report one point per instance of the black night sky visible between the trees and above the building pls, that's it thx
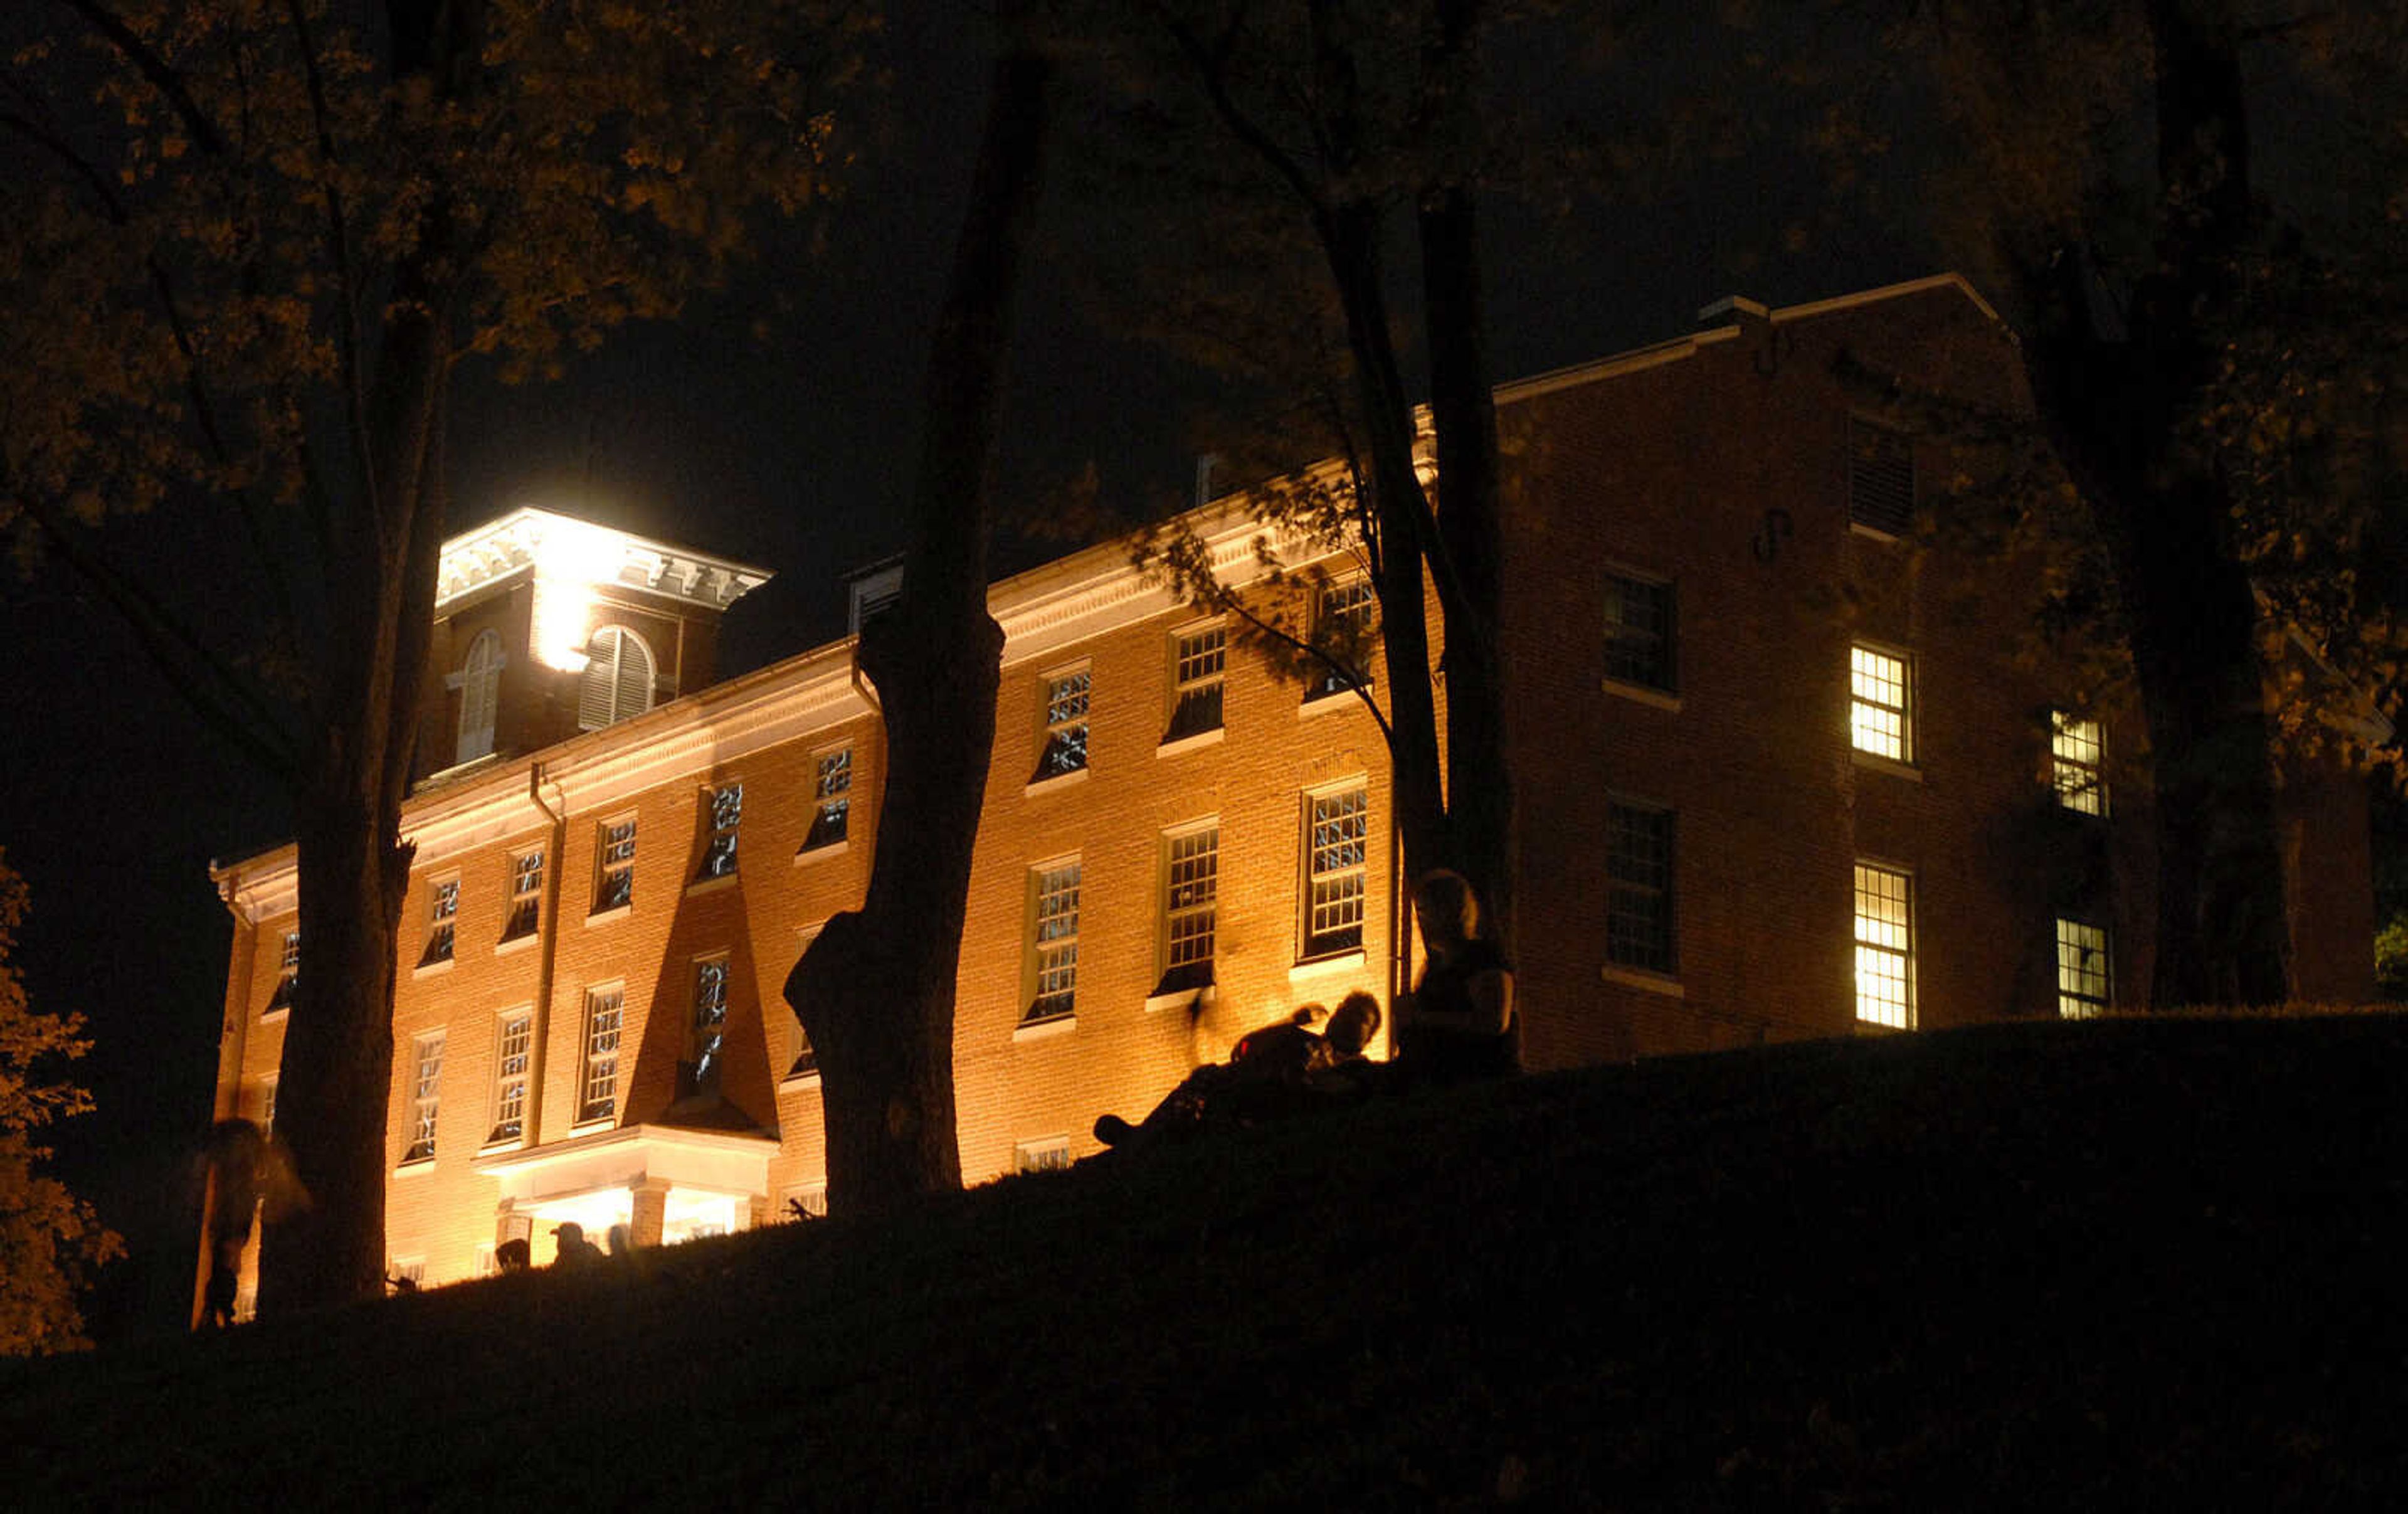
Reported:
(793, 454)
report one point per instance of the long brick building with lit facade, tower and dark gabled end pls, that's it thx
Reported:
(1781, 774)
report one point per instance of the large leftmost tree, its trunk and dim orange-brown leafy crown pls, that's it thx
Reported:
(242, 254)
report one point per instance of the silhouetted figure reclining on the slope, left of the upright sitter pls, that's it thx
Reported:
(1270, 1072)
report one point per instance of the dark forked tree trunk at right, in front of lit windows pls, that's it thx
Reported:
(2115, 406)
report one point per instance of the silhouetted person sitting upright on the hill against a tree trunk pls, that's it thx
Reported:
(1460, 1019)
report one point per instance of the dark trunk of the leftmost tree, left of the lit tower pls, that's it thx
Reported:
(384, 552)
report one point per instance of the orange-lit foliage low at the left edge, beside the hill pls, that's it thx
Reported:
(49, 1241)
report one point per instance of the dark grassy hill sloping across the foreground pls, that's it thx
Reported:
(2106, 1265)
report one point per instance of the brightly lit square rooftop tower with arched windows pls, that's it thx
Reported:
(550, 627)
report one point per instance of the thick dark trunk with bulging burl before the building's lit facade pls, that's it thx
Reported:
(875, 990)
